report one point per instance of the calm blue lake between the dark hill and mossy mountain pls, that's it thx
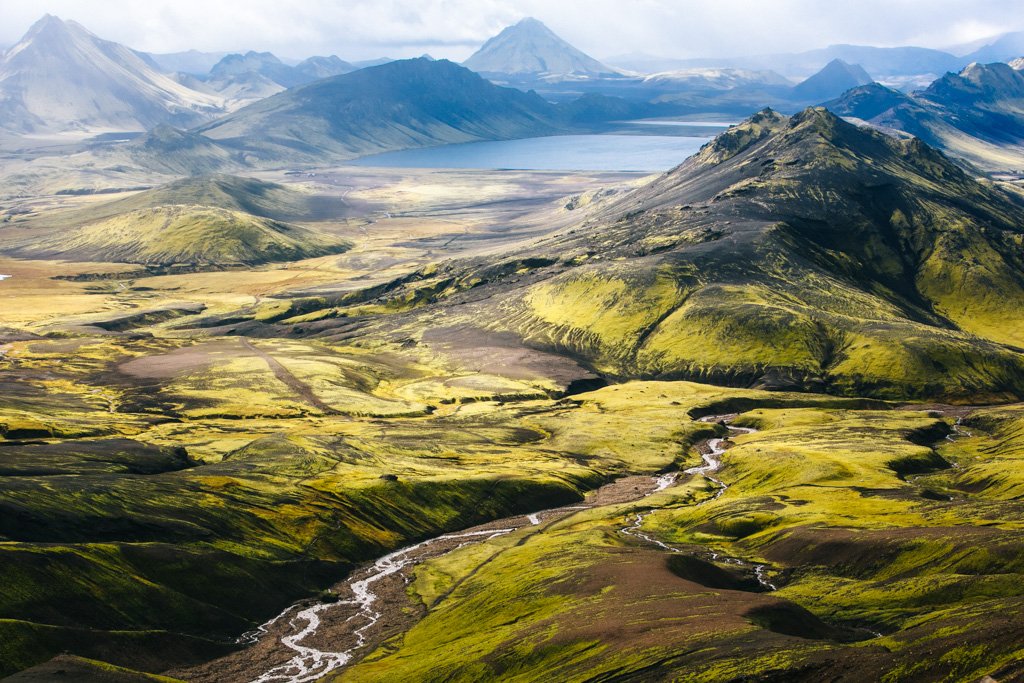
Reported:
(562, 153)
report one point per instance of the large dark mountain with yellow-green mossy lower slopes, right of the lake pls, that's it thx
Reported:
(799, 252)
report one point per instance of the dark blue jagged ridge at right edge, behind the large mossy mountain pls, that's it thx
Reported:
(975, 115)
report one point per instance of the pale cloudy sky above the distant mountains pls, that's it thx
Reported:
(454, 29)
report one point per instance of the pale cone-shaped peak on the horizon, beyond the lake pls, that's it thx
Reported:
(530, 49)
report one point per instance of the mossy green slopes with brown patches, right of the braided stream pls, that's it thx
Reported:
(818, 497)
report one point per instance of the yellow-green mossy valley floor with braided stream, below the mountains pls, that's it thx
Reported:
(170, 482)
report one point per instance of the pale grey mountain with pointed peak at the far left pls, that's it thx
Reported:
(60, 77)
